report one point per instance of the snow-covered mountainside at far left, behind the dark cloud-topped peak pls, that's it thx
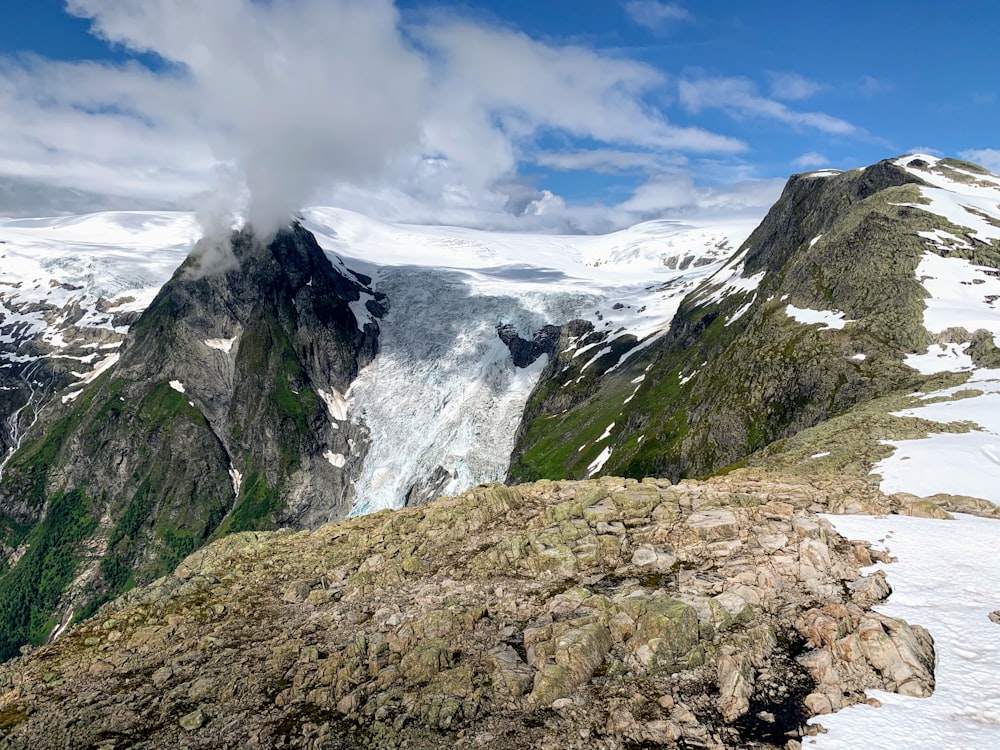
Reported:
(69, 289)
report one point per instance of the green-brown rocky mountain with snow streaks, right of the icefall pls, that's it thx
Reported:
(819, 310)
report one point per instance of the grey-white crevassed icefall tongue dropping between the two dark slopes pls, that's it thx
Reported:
(443, 398)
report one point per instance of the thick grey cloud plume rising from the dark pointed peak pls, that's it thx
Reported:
(293, 94)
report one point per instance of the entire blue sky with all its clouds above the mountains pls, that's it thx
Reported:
(568, 116)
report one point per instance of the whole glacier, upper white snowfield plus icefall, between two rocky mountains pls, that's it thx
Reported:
(442, 402)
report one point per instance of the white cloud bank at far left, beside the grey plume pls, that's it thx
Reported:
(77, 126)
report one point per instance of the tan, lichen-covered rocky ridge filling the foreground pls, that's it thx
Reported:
(601, 614)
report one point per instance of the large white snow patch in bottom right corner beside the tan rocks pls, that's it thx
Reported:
(944, 581)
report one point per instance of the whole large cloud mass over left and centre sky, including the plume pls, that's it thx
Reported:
(336, 100)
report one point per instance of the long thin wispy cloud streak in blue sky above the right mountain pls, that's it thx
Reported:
(739, 97)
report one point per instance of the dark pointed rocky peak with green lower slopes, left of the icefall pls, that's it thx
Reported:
(220, 415)
